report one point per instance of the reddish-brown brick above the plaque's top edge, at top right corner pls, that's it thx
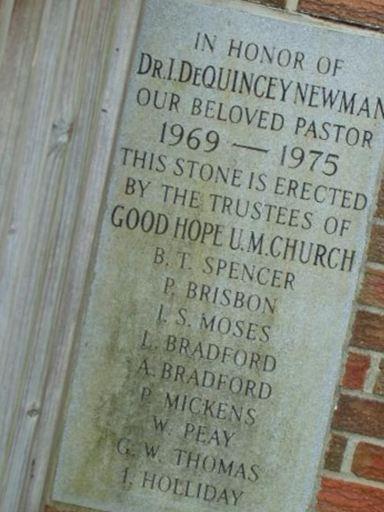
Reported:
(362, 12)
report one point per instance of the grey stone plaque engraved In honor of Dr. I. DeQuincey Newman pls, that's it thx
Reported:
(228, 258)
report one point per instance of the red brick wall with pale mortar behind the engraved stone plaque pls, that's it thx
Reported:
(353, 471)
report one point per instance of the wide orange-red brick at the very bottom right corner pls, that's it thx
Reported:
(341, 496)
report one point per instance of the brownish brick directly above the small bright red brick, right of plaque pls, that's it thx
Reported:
(368, 331)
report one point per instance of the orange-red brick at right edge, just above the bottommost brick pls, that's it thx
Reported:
(368, 462)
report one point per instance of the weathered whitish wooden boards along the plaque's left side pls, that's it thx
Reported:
(63, 70)
